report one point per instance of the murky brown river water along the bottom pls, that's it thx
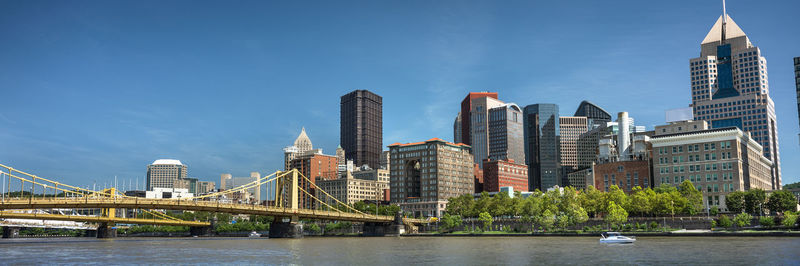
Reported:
(449, 251)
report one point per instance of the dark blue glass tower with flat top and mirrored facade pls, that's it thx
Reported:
(541, 133)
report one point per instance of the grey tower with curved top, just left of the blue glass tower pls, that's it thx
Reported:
(506, 140)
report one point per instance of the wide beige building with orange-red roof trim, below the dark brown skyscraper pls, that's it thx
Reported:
(424, 175)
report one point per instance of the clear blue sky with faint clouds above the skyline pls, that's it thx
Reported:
(94, 89)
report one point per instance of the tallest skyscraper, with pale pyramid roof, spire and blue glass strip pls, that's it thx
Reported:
(730, 88)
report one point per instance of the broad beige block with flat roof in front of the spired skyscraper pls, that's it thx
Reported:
(718, 161)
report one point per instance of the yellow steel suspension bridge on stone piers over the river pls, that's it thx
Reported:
(293, 191)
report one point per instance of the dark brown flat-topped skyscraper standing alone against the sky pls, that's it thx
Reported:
(361, 128)
